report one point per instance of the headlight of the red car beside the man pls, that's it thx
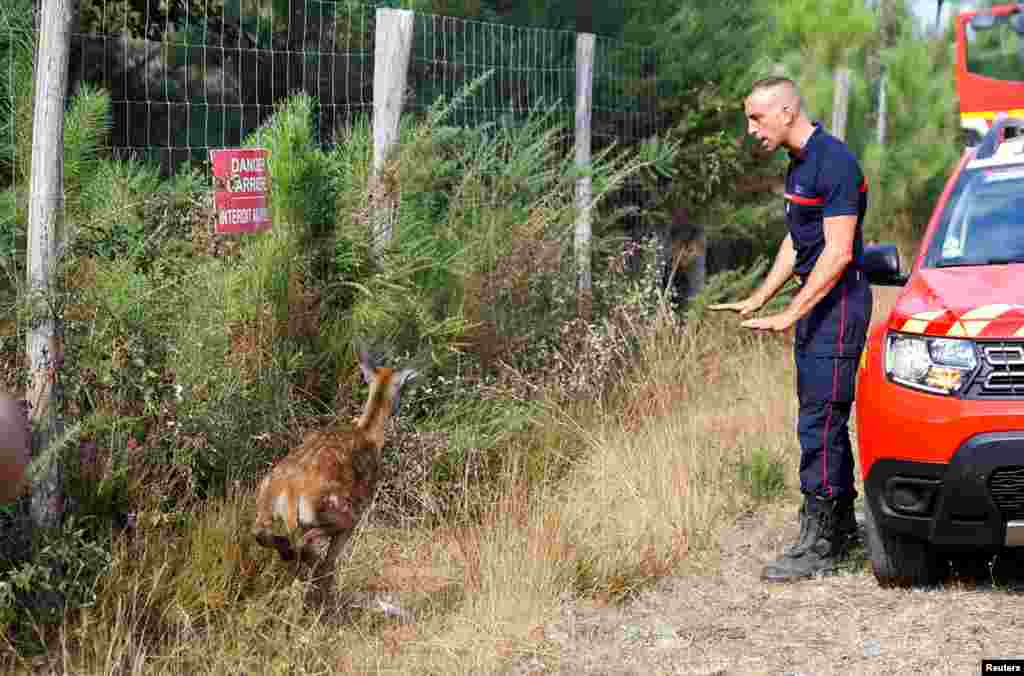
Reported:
(934, 365)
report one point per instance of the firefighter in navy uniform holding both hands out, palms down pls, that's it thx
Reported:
(826, 200)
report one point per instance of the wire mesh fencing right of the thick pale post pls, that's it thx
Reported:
(531, 69)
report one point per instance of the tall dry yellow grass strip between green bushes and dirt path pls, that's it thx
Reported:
(659, 478)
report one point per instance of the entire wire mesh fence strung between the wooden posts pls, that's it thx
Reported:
(187, 76)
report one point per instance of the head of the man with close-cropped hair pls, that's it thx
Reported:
(775, 114)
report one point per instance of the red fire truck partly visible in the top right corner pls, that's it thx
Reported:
(990, 66)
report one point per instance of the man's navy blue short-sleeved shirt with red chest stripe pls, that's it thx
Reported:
(824, 181)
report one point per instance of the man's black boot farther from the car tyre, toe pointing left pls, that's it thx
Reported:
(820, 547)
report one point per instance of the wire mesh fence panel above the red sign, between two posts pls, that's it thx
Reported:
(189, 76)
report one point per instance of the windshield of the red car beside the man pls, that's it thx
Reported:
(985, 225)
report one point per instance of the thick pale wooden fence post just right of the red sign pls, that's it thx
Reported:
(392, 55)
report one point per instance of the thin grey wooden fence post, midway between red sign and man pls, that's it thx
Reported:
(584, 96)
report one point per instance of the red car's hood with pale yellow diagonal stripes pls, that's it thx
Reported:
(974, 302)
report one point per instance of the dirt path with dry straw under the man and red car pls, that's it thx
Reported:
(723, 620)
